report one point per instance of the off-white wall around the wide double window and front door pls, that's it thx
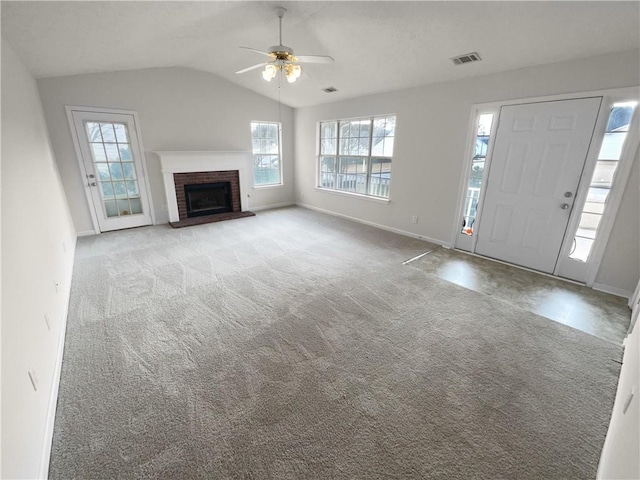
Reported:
(431, 137)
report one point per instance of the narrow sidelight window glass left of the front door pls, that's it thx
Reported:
(477, 172)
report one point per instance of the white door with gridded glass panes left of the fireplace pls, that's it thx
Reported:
(111, 157)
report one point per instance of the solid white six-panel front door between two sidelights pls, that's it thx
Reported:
(538, 157)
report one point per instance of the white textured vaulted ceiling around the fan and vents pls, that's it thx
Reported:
(377, 46)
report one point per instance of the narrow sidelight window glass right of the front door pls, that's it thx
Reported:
(608, 159)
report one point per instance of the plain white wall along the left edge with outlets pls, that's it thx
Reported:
(38, 244)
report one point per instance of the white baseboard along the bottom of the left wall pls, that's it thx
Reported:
(55, 385)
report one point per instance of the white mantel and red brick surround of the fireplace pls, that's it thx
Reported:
(200, 168)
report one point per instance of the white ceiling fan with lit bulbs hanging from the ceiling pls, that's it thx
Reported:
(282, 59)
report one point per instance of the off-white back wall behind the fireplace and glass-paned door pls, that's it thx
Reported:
(178, 109)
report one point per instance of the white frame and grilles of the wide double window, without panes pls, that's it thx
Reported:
(368, 159)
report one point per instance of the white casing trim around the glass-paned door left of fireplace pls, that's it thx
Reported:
(76, 145)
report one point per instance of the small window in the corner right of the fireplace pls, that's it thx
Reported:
(267, 160)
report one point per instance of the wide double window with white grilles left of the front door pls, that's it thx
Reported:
(355, 155)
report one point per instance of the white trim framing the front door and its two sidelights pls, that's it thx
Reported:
(609, 96)
